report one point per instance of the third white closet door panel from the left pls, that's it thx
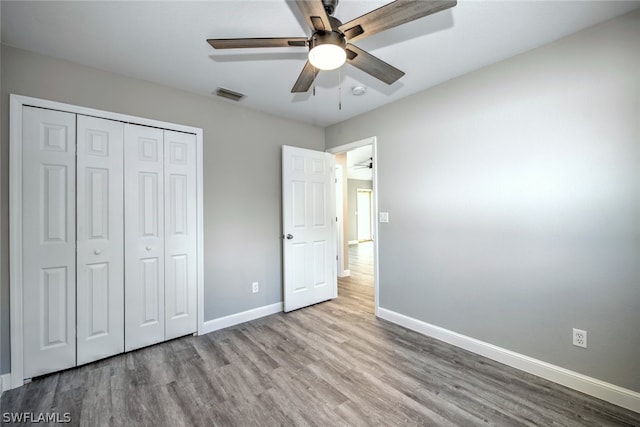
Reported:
(144, 236)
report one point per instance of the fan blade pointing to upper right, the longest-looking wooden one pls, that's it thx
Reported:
(391, 15)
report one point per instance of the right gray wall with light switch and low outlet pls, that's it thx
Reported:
(523, 219)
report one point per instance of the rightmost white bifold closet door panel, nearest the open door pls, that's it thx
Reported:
(180, 233)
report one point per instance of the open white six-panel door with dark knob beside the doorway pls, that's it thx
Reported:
(309, 249)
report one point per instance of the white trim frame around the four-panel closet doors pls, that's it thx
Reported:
(16, 104)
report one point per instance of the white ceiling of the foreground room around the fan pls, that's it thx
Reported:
(165, 42)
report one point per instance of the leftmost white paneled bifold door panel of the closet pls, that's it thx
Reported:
(49, 240)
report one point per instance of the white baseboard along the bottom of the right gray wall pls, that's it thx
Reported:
(602, 390)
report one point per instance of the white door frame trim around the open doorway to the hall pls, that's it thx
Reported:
(374, 192)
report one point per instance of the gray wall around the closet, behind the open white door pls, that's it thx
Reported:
(242, 168)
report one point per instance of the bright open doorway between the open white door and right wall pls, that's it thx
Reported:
(357, 230)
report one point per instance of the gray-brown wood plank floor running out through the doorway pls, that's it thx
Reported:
(332, 364)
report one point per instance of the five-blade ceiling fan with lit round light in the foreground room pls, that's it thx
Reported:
(330, 44)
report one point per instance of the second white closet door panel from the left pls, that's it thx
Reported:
(100, 234)
